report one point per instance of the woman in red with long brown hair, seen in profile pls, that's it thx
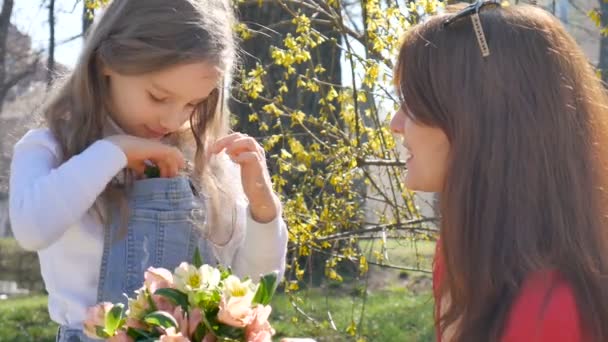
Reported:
(506, 119)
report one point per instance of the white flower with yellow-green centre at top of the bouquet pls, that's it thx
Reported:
(189, 278)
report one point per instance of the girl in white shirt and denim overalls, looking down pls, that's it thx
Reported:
(148, 88)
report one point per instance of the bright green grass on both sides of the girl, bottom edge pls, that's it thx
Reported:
(390, 315)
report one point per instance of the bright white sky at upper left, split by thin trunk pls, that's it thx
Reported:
(32, 18)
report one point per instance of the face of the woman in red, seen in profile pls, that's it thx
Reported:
(427, 156)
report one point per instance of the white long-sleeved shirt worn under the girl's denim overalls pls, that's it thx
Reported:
(50, 210)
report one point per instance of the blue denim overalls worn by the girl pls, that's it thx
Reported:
(165, 216)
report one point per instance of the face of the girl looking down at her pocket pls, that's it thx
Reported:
(155, 104)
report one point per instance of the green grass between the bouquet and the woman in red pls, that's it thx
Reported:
(389, 315)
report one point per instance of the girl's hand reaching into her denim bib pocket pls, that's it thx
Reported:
(168, 159)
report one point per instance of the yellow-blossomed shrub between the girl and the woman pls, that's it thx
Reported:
(306, 117)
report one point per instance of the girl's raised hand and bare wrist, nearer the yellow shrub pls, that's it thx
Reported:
(245, 151)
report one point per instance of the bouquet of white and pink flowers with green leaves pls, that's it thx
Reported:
(195, 303)
